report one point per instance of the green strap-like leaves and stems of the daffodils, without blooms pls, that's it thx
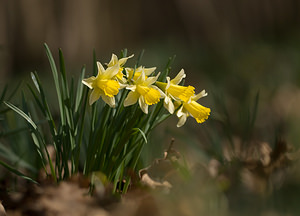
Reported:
(85, 138)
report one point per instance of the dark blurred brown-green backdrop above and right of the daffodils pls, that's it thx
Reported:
(244, 53)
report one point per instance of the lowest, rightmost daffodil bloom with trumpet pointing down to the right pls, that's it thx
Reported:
(194, 109)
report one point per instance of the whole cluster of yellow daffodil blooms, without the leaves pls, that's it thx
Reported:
(146, 90)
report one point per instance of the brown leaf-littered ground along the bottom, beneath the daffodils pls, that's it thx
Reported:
(166, 187)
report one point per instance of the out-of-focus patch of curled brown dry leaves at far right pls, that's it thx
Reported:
(261, 167)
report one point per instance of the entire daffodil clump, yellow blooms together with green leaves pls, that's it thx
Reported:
(107, 135)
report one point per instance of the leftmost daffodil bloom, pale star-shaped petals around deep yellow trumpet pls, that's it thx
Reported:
(104, 84)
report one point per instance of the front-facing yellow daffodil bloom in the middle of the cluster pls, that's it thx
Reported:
(144, 92)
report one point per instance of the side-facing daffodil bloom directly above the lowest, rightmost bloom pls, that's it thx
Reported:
(175, 92)
